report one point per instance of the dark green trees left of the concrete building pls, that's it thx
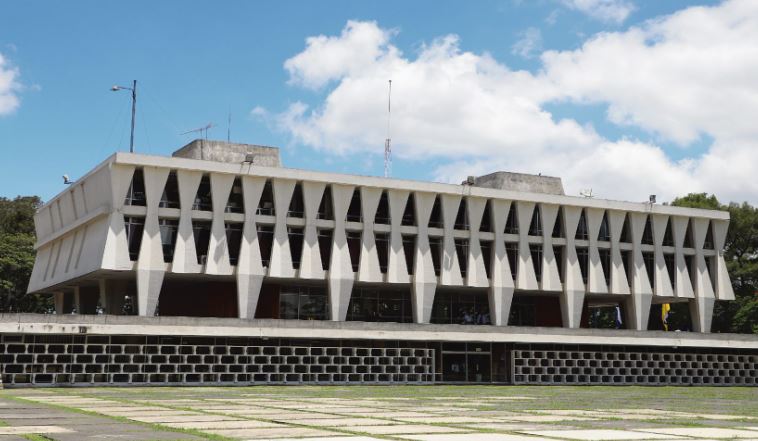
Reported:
(17, 255)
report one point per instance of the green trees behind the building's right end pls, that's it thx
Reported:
(741, 256)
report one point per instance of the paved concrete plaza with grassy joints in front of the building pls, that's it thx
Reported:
(432, 413)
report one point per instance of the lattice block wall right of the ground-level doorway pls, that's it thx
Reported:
(628, 367)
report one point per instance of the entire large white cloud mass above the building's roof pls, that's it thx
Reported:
(479, 116)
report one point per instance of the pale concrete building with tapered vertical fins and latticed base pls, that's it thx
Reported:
(222, 230)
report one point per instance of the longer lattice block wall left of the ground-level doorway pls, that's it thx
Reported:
(103, 362)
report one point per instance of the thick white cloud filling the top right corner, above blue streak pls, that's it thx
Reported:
(692, 73)
